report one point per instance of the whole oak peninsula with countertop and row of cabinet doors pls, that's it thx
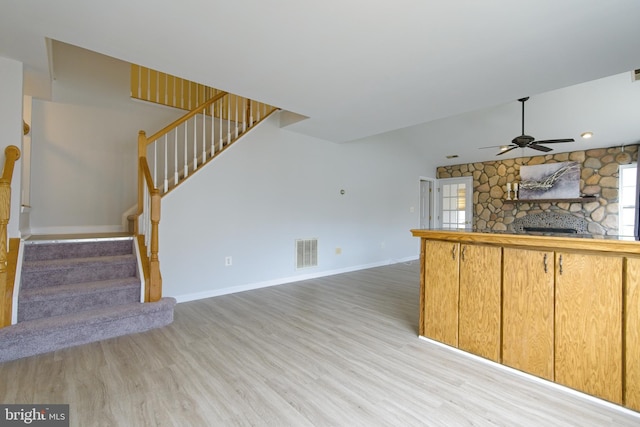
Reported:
(566, 309)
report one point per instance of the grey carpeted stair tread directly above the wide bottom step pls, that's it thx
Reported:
(50, 293)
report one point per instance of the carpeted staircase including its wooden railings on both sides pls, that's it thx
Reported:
(78, 291)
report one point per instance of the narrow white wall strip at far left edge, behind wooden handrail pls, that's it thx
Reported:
(11, 80)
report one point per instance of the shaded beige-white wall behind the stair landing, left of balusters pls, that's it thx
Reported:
(84, 169)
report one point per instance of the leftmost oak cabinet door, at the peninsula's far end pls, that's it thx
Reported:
(441, 291)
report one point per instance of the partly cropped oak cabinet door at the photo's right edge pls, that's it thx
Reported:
(632, 335)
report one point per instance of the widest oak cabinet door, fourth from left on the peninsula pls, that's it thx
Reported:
(588, 335)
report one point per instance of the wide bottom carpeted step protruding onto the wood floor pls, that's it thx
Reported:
(52, 333)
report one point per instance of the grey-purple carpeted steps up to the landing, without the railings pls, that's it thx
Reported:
(79, 291)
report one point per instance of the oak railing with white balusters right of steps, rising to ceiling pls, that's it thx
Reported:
(174, 153)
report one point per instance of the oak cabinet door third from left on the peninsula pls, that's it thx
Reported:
(527, 311)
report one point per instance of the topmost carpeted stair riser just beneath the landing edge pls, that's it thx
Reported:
(77, 249)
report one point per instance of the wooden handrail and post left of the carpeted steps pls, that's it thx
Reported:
(12, 154)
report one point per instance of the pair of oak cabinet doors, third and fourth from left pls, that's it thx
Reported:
(586, 296)
